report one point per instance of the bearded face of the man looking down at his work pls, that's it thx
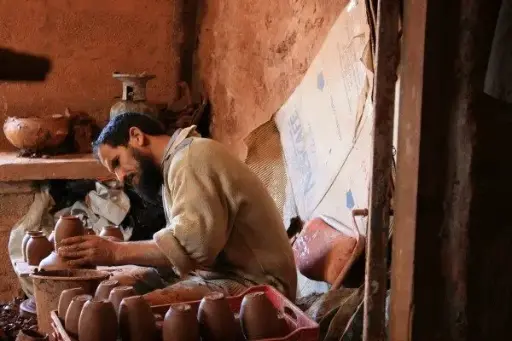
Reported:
(133, 167)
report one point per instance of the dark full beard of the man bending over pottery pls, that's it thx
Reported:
(150, 181)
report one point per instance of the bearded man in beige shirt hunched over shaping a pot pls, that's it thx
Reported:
(224, 232)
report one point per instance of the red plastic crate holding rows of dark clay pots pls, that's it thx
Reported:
(301, 326)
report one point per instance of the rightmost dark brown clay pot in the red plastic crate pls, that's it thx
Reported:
(259, 318)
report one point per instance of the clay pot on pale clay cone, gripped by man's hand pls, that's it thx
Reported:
(67, 226)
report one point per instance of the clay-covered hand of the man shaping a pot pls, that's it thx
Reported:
(84, 250)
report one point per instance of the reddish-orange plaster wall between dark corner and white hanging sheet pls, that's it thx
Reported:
(252, 55)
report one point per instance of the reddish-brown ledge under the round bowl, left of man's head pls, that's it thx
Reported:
(72, 167)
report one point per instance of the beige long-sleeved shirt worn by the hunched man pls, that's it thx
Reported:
(221, 221)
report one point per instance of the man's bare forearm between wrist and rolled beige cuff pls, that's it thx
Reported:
(144, 253)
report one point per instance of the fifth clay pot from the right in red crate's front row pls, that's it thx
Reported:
(98, 321)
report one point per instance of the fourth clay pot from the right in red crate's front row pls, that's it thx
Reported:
(136, 320)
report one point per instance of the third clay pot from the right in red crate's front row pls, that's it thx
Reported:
(180, 324)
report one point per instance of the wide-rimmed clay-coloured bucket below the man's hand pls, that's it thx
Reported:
(48, 285)
